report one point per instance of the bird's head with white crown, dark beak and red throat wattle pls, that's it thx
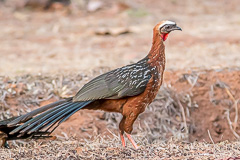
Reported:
(165, 27)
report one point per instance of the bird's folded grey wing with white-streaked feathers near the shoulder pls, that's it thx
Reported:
(130, 80)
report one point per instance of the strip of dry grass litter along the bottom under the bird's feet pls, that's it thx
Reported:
(109, 148)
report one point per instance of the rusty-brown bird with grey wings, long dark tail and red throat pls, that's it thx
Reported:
(127, 90)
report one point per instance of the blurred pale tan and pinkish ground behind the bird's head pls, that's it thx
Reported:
(59, 36)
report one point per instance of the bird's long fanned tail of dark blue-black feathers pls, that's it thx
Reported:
(41, 122)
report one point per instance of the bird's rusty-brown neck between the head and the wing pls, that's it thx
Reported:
(156, 55)
